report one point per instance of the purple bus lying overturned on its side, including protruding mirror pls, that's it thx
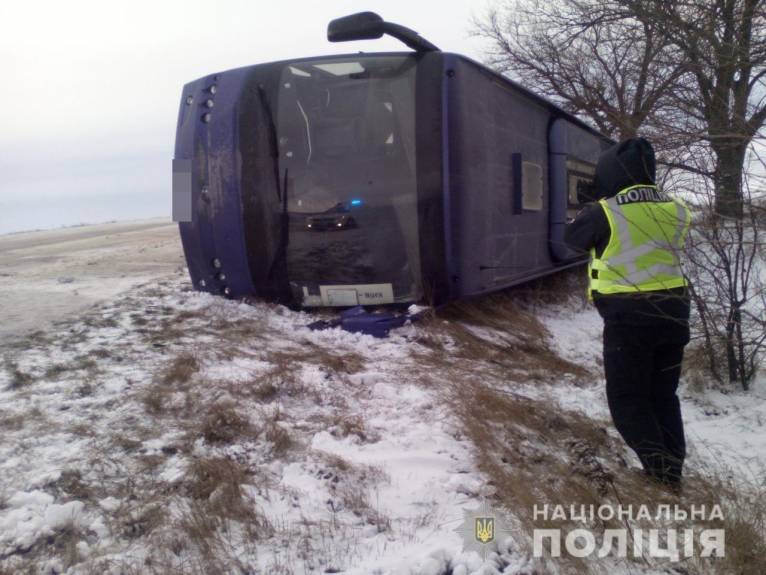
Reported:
(374, 178)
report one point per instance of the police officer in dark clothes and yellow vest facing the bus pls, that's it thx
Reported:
(633, 232)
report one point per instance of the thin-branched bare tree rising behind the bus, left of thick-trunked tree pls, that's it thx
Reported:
(592, 57)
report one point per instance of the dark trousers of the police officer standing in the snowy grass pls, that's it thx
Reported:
(642, 365)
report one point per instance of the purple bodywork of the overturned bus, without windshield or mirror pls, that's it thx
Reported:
(496, 141)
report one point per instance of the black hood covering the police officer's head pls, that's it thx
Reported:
(626, 164)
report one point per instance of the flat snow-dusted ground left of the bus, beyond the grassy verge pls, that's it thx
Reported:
(48, 275)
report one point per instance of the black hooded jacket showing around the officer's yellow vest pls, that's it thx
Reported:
(626, 164)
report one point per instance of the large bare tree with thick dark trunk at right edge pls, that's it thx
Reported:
(723, 43)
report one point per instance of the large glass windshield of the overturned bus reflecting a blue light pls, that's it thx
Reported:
(345, 130)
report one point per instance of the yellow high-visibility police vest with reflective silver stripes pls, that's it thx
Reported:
(648, 230)
